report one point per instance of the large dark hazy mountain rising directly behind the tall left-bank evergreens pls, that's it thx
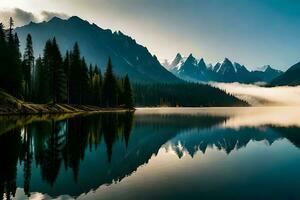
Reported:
(97, 45)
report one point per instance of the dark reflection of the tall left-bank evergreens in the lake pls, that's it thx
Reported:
(52, 143)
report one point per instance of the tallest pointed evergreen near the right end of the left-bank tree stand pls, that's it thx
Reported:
(110, 87)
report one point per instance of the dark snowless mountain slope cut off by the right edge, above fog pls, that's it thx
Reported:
(291, 77)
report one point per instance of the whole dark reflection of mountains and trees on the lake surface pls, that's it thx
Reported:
(61, 155)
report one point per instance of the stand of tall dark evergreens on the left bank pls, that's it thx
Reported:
(53, 78)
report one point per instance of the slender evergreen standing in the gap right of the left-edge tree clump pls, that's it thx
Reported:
(28, 65)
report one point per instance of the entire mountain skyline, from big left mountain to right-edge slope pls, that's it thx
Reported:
(131, 58)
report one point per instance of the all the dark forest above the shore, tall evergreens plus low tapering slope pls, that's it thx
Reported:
(53, 78)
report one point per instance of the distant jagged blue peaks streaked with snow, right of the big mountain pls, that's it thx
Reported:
(191, 69)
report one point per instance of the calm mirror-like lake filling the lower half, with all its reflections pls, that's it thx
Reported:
(215, 153)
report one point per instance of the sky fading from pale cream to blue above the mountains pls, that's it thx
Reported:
(251, 32)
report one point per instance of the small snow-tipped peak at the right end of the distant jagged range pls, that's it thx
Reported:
(267, 73)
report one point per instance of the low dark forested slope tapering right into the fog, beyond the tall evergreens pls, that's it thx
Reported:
(183, 94)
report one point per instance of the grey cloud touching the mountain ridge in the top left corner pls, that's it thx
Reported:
(22, 17)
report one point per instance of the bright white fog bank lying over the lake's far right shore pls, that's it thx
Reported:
(263, 96)
